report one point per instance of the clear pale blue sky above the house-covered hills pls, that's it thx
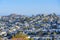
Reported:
(29, 7)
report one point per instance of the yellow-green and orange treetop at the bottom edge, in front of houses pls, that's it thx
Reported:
(21, 36)
